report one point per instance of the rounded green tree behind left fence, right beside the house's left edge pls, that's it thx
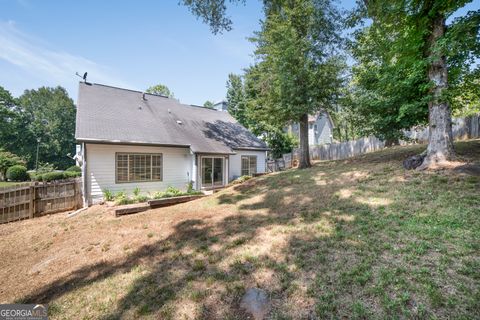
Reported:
(47, 116)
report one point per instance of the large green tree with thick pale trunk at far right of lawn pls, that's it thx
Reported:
(417, 51)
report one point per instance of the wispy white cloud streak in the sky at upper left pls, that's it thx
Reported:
(47, 66)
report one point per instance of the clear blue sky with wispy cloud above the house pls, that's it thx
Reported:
(127, 43)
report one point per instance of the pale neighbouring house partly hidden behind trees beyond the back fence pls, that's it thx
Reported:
(320, 128)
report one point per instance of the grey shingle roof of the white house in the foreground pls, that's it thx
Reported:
(113, 115)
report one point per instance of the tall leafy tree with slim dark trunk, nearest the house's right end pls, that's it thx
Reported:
(298, 68)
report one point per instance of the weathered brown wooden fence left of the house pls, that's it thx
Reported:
(29, 200)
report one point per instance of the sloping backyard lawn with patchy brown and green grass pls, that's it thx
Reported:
(357, 239)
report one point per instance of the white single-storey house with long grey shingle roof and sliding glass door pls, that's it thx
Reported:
(129, 139)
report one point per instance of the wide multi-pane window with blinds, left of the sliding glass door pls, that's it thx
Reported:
(139, 167)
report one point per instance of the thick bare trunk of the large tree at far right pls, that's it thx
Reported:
(440, 141)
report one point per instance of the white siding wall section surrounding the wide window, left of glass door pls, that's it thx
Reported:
(176, 171)
